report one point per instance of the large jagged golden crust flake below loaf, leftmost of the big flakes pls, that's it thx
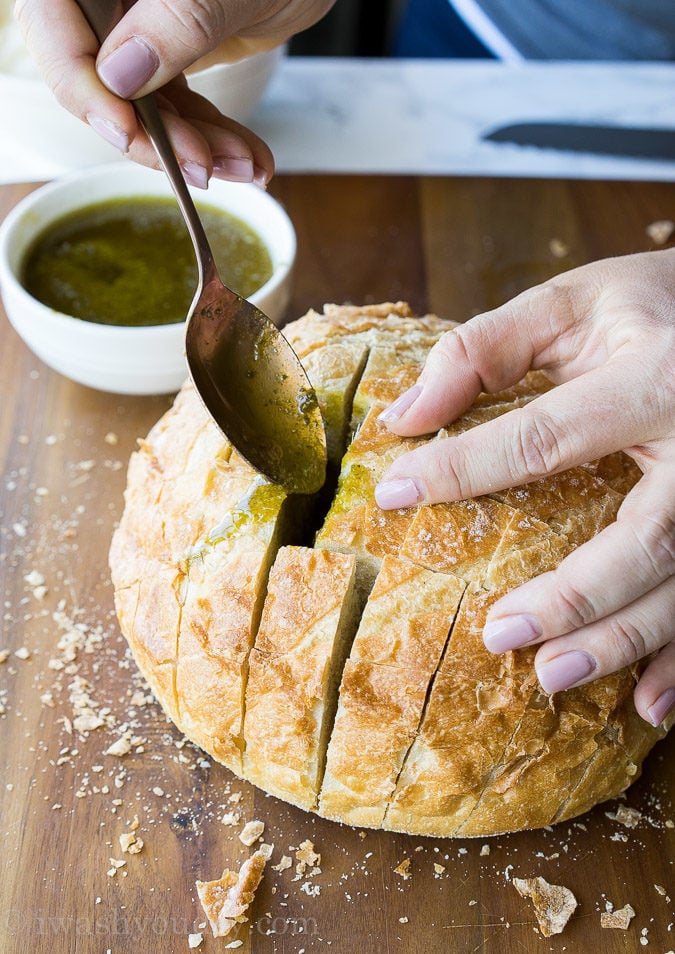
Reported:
(225, 900)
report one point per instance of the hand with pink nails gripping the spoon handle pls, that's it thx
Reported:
(147, 51)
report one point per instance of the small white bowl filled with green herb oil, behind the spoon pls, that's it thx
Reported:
(97, 271)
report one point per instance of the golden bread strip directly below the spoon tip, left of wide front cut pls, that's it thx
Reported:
(307, 626)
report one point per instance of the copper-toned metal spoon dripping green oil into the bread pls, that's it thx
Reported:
(245, 371)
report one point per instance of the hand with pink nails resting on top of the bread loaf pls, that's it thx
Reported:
(605, 333)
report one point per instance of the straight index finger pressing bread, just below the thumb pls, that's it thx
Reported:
(609, 409)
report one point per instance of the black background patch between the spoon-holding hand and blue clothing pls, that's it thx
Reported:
(351, 28)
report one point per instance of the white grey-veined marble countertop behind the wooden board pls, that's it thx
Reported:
(391, 116)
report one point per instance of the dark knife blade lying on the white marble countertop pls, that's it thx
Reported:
(627, 141)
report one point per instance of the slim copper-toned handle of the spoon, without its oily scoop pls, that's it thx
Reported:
(102, 15)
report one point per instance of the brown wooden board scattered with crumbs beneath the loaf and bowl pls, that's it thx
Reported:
(456, 246)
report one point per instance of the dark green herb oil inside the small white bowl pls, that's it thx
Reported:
(131, 261)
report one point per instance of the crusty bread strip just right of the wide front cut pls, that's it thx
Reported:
(397, 648)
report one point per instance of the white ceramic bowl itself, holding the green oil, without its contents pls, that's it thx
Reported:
(127, 360)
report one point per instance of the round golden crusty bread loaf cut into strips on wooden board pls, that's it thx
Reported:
(331, 652)
